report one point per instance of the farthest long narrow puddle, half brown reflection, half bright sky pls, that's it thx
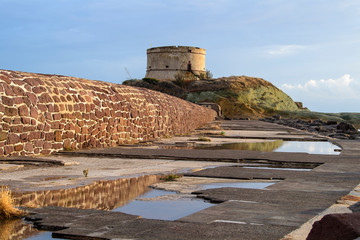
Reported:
(278, 146)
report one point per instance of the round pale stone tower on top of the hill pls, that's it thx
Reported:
(164, 63)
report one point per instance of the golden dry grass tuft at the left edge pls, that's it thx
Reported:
(7, 207)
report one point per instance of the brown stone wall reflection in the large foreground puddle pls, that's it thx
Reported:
(102, 195)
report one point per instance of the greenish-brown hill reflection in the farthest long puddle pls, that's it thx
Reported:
(252, 146)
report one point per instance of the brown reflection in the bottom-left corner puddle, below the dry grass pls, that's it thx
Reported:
(16, 229)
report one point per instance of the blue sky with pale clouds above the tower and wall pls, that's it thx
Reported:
(310, 49)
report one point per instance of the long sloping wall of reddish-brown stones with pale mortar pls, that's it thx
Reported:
(42, 114)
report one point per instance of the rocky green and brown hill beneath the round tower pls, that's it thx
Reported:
(238, 96)
